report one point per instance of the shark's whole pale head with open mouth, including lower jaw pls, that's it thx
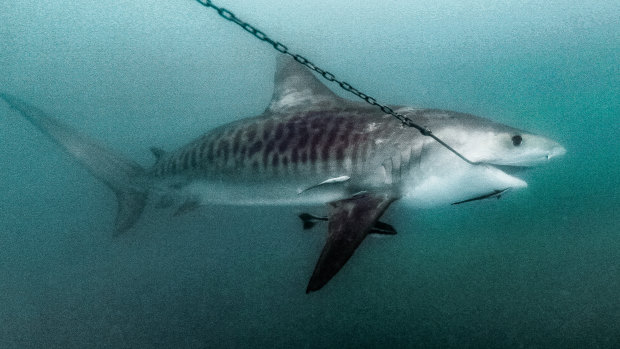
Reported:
(499, 150)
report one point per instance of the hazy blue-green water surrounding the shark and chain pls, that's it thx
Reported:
(538, 268)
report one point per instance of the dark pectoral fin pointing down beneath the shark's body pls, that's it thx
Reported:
(350, 220)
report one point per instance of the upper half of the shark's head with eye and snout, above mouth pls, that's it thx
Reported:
(485, 141)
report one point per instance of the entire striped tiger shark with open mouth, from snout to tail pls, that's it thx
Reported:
(311, 146)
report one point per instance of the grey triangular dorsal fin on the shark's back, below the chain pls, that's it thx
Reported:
(296, 87)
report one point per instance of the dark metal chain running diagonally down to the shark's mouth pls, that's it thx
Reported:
(280, 47)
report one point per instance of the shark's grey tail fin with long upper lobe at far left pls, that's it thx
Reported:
(125, 177)
